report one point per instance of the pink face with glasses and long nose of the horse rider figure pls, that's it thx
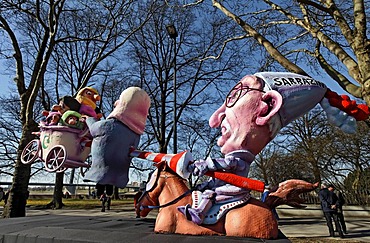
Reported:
(237, 116)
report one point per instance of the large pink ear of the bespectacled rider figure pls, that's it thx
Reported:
(272, 103)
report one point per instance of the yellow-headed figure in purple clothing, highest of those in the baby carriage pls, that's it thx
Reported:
(88, 97)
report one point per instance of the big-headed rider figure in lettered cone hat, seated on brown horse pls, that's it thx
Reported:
(254, 111)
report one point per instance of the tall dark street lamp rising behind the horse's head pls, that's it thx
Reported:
(172, 32)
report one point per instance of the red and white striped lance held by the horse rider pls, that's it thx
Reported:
(179, 164)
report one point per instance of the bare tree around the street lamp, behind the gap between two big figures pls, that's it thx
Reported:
(201, 81)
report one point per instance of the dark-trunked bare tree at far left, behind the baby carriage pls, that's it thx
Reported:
(33, 30)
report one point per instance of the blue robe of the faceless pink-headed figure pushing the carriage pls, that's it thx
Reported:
(110, 151)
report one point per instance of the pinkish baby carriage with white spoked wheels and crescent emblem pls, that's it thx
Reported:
(59, 147)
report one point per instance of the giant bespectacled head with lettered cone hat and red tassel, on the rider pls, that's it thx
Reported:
(259, 105)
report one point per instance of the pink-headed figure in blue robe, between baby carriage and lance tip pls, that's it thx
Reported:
(113, 137)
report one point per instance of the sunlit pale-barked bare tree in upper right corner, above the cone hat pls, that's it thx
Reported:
(299, 34)
